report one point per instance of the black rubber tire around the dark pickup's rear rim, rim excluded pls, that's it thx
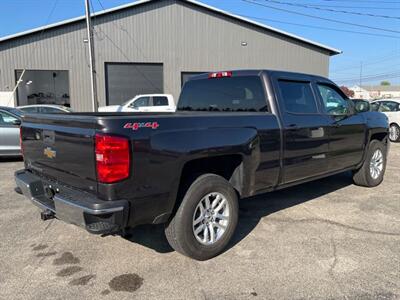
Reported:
(179, 231)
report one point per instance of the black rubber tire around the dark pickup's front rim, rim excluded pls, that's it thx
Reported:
(363, 176)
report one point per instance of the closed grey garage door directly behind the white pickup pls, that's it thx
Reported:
(126, 80)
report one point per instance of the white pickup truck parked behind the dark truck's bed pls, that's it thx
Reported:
(144, 103)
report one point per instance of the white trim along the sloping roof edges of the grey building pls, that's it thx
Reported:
(194, 2)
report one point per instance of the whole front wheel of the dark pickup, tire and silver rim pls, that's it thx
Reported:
(372, 171)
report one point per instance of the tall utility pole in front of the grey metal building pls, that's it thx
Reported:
(92, 63)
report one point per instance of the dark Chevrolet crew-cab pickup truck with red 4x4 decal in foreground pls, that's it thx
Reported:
(235, 134)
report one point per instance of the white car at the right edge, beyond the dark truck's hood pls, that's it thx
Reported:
(391, 108)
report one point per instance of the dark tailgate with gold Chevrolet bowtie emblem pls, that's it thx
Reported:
(61, 148)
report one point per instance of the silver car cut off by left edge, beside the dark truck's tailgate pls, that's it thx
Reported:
(10, 120)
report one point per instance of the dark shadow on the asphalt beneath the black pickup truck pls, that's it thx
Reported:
(252, 210)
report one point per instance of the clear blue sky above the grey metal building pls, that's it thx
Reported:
(379, 55)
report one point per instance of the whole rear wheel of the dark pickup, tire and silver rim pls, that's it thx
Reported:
(206, 219)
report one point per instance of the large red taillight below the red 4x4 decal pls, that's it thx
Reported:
(112, 158)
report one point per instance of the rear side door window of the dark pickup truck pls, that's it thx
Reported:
(298, 97)
